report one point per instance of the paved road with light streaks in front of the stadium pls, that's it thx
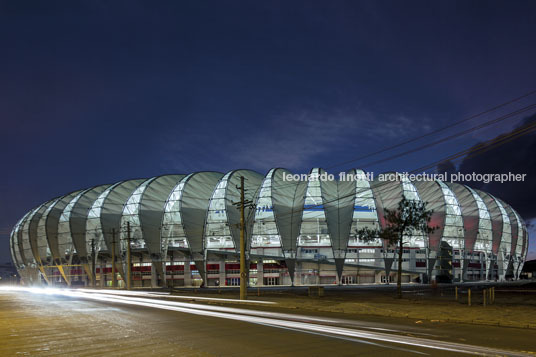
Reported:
(84, 323)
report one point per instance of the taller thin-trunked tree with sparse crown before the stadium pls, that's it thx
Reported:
(410, 218)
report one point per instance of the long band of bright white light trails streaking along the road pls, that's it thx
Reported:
(275, 320)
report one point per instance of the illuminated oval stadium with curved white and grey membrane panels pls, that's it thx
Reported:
(184, 231)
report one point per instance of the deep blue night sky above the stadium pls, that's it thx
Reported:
(95, 92)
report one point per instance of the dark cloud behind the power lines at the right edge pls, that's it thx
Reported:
(516, 156)
